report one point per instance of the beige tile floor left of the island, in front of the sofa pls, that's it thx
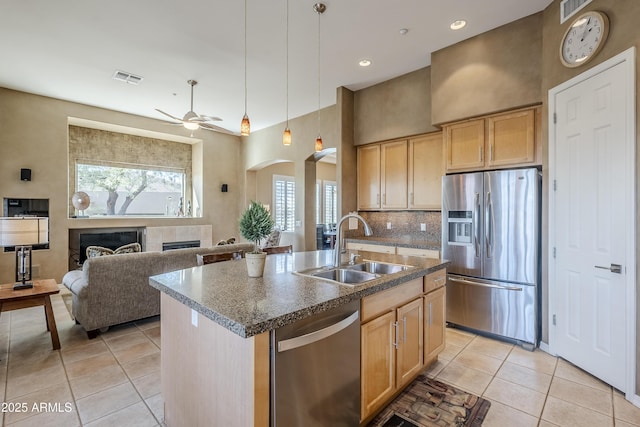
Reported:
(112, 380)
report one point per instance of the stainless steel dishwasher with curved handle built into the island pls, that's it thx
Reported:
(315, 370)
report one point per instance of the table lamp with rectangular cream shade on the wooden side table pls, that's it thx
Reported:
(22, 232)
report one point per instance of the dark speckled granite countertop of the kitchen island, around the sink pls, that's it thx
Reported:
(249, 306)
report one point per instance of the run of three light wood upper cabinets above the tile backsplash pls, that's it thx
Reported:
(402, 174)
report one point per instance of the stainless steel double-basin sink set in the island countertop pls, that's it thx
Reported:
(355, 274)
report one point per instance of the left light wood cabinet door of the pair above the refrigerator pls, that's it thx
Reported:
(465, 145)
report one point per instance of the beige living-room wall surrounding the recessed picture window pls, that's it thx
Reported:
(34, 135)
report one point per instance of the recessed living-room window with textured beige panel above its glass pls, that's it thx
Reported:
(129, 175)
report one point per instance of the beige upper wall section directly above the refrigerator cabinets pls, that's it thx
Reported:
(495, 71)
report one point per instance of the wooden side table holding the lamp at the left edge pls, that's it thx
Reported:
(33, 297)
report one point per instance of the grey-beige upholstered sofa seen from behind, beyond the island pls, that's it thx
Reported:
(115, 289)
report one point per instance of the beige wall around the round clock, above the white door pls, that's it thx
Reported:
(623, 34)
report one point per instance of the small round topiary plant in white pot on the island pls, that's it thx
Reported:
(255, 224)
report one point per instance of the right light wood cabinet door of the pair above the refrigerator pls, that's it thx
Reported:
(511, 138)
